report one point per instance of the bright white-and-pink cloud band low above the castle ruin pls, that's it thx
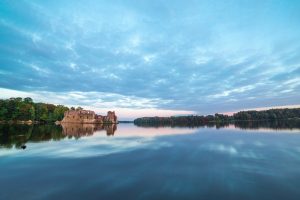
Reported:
(127, 107)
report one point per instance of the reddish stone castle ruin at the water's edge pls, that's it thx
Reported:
(89, 117)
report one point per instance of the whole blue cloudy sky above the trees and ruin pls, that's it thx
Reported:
(152, 57)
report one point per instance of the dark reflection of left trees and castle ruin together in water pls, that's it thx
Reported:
(18, 135)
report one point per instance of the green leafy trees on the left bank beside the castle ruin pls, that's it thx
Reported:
(15, 109)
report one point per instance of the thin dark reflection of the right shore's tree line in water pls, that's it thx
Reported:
(276, 125)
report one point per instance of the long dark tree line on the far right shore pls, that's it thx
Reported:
(272, 114)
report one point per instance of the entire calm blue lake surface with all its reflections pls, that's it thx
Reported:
(132, 162)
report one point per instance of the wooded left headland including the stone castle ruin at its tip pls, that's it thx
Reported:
(25, 111)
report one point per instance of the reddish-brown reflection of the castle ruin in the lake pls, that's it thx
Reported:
(79, 130)
